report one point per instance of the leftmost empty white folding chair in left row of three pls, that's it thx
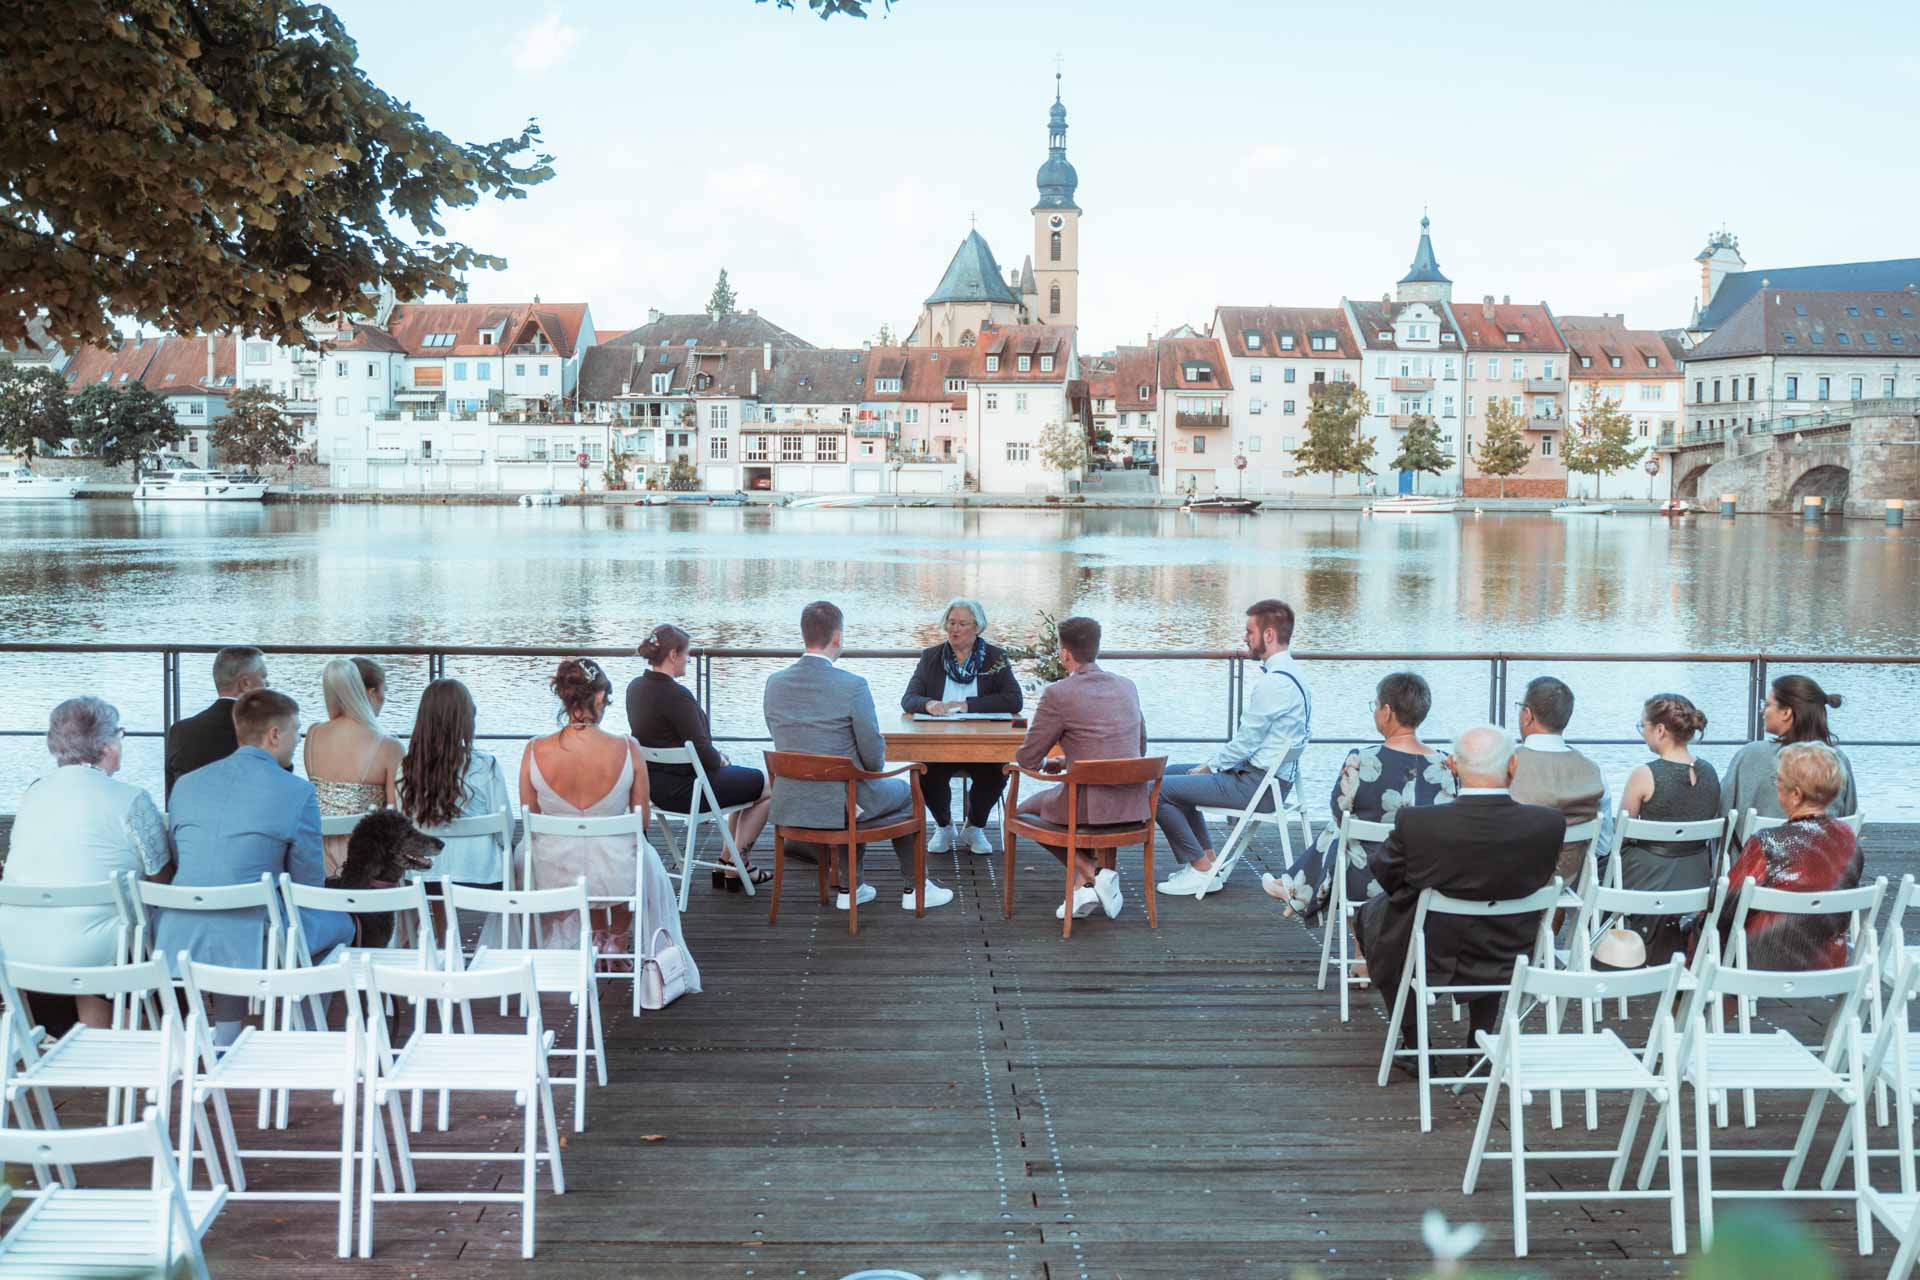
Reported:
(91, 1058)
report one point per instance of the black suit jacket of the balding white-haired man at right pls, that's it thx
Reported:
(1483, 849)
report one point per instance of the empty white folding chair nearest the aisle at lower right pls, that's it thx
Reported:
(1589, 1060)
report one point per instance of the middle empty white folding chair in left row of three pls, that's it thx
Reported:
(295, 1058)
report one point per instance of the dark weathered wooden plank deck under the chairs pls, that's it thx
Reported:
(974, 1095)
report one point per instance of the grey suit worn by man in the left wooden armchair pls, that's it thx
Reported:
(819, 709)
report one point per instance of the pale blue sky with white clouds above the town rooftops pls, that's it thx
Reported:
(1232, 153)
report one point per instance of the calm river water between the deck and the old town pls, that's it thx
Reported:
(108, 571)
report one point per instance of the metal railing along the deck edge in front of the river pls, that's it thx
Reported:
(702, 669)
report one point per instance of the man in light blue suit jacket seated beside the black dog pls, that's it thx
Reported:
(233, 820)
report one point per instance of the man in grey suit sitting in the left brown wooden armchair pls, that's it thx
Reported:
(815, 707)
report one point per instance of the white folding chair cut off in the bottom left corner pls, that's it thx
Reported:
(151, 1231)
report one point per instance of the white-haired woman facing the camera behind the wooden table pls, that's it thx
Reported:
(963, 675)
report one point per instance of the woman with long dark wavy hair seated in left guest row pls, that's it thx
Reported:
(446, 778)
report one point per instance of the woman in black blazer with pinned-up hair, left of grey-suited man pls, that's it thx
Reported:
(661, 713)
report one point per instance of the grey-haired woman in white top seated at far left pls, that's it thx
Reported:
(80, 826)
